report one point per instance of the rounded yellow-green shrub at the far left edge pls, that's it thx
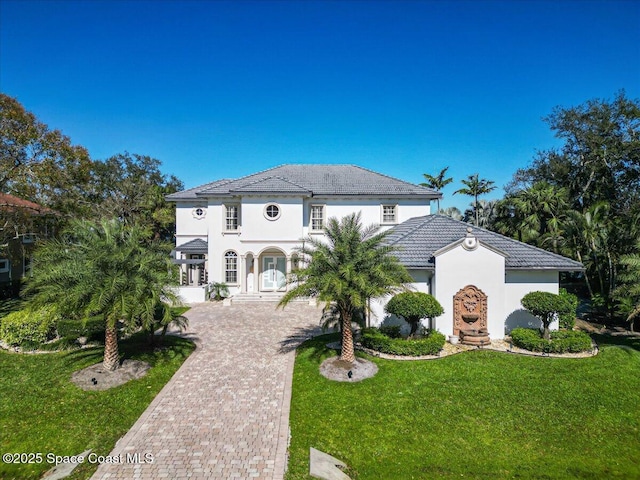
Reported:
(28, 327)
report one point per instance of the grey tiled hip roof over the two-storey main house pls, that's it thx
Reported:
(311, 180)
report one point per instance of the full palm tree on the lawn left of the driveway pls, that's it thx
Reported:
(107, 269)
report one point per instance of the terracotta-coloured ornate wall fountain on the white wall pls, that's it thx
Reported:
(470, 316)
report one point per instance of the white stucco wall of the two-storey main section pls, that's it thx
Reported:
(257, 234)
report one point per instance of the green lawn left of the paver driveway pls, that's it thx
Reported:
(42, 411)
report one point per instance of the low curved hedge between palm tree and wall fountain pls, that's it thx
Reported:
(375, 340)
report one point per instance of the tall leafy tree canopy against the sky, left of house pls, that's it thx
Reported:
(43, 166)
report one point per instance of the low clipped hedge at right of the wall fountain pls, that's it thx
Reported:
(562, 341)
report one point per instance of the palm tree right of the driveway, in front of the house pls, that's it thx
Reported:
(346, 268)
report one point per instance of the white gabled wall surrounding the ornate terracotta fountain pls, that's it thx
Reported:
(483, 268)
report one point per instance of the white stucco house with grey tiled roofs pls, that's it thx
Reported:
(244, 232)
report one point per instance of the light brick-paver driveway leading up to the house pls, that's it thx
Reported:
(225, 413)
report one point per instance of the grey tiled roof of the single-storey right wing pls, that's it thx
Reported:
(419, 238)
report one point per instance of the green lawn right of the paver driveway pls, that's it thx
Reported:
(480, 414)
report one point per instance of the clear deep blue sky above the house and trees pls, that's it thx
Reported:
(219, 89)
